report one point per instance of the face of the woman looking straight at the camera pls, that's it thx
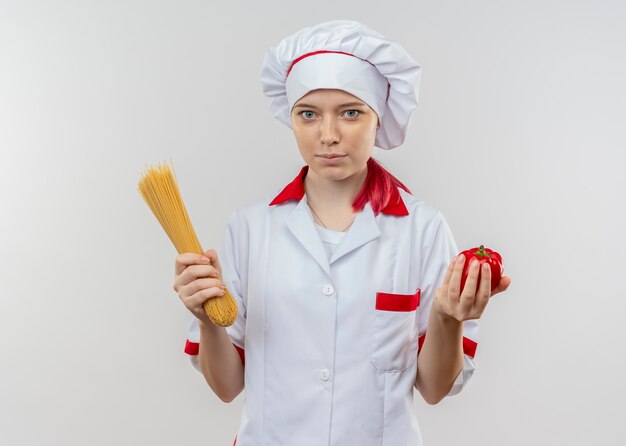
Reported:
(335, 132)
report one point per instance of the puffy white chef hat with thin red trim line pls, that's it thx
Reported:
(346, 55)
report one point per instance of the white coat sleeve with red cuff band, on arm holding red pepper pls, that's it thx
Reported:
(438, 249)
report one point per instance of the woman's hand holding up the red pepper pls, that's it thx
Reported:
(470, 302)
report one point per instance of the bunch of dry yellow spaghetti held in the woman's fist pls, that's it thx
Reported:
(159, 189)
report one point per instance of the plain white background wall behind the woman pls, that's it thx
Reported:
(518, 138)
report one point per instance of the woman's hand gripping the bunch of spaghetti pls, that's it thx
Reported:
(198, 278)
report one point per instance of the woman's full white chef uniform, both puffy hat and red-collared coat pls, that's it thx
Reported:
(330, 323)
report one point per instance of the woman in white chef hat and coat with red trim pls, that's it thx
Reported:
(342, 277)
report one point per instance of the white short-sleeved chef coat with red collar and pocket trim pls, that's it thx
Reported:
(330, 345)
